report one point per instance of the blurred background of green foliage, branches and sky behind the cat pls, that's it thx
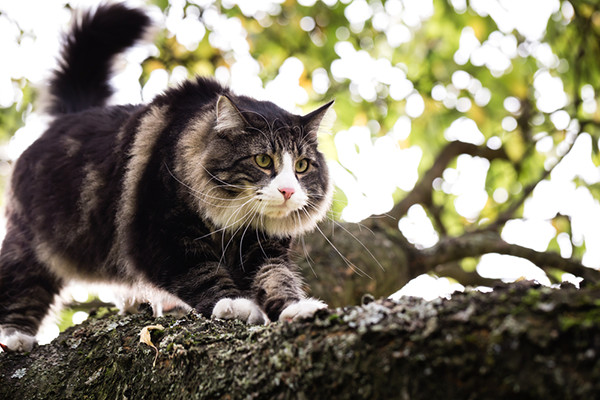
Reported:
(466, 135)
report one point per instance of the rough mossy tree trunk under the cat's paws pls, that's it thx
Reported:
(520, 341)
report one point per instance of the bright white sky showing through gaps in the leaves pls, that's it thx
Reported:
(357, 173)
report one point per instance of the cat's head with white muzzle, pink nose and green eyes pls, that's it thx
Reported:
(259, 168)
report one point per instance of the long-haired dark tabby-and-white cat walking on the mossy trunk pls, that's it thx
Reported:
(196, 196)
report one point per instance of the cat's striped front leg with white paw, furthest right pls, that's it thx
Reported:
(278, 289)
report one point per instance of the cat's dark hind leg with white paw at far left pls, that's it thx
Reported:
(27, 291)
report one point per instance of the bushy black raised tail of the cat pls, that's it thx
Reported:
(81, 79)
